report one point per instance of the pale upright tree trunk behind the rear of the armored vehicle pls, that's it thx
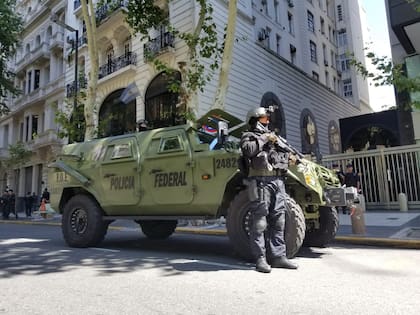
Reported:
(90, 107)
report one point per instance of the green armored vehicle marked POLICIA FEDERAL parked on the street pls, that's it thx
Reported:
(160, 176)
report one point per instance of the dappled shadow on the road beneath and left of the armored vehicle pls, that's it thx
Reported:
(37, 256)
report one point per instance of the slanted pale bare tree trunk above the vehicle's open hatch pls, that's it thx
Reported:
(223, 83)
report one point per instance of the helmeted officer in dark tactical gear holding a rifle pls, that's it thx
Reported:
(268, 163)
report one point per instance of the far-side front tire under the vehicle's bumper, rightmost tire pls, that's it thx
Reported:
(328, 226)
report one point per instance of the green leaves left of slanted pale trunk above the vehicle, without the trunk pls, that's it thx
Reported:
(143, 15)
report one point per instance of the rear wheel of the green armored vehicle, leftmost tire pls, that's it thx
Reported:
(82, 223)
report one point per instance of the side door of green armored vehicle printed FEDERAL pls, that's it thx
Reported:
(166, 169)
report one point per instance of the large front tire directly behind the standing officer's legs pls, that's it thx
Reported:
(238, 223)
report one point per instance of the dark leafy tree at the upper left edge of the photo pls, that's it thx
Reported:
(10, 29)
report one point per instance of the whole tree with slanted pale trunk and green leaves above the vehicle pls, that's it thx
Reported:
(203, 47)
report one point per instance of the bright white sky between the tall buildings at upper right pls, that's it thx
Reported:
(378, 26)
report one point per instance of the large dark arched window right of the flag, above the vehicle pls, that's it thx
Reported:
(161, 104)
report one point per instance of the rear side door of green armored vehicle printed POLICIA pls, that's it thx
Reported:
(119, 172)
